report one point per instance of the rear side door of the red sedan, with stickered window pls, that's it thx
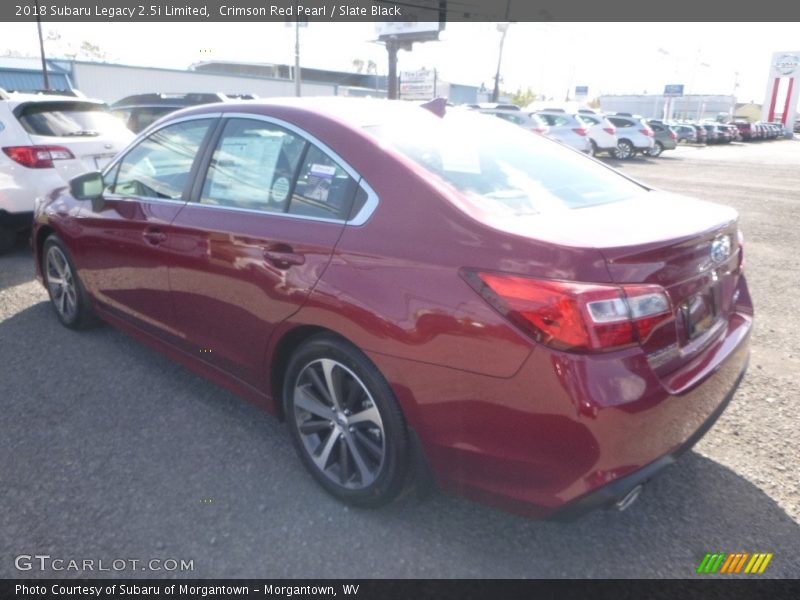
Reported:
(258, 234)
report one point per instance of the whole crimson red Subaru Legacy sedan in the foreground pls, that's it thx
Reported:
(413, 293)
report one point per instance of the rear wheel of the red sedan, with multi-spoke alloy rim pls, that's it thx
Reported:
(345, 423)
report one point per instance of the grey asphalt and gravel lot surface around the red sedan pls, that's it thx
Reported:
(111, 451)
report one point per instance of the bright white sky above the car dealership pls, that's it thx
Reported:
(548, 57)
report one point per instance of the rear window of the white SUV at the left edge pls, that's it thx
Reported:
(69, 119)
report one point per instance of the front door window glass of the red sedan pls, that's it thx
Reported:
(159, 166)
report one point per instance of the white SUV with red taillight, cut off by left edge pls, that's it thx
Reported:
(45, 140)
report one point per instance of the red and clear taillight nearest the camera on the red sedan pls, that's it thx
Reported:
(576, 316)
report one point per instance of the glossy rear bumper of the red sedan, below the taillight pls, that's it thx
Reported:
(566, 432)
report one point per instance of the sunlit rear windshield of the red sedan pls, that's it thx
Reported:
(502, 167)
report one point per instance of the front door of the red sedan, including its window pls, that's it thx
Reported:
(127, 236)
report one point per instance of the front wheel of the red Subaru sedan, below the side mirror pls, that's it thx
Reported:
(67, 294)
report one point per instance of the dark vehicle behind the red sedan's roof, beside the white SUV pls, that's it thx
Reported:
(139, 111)
